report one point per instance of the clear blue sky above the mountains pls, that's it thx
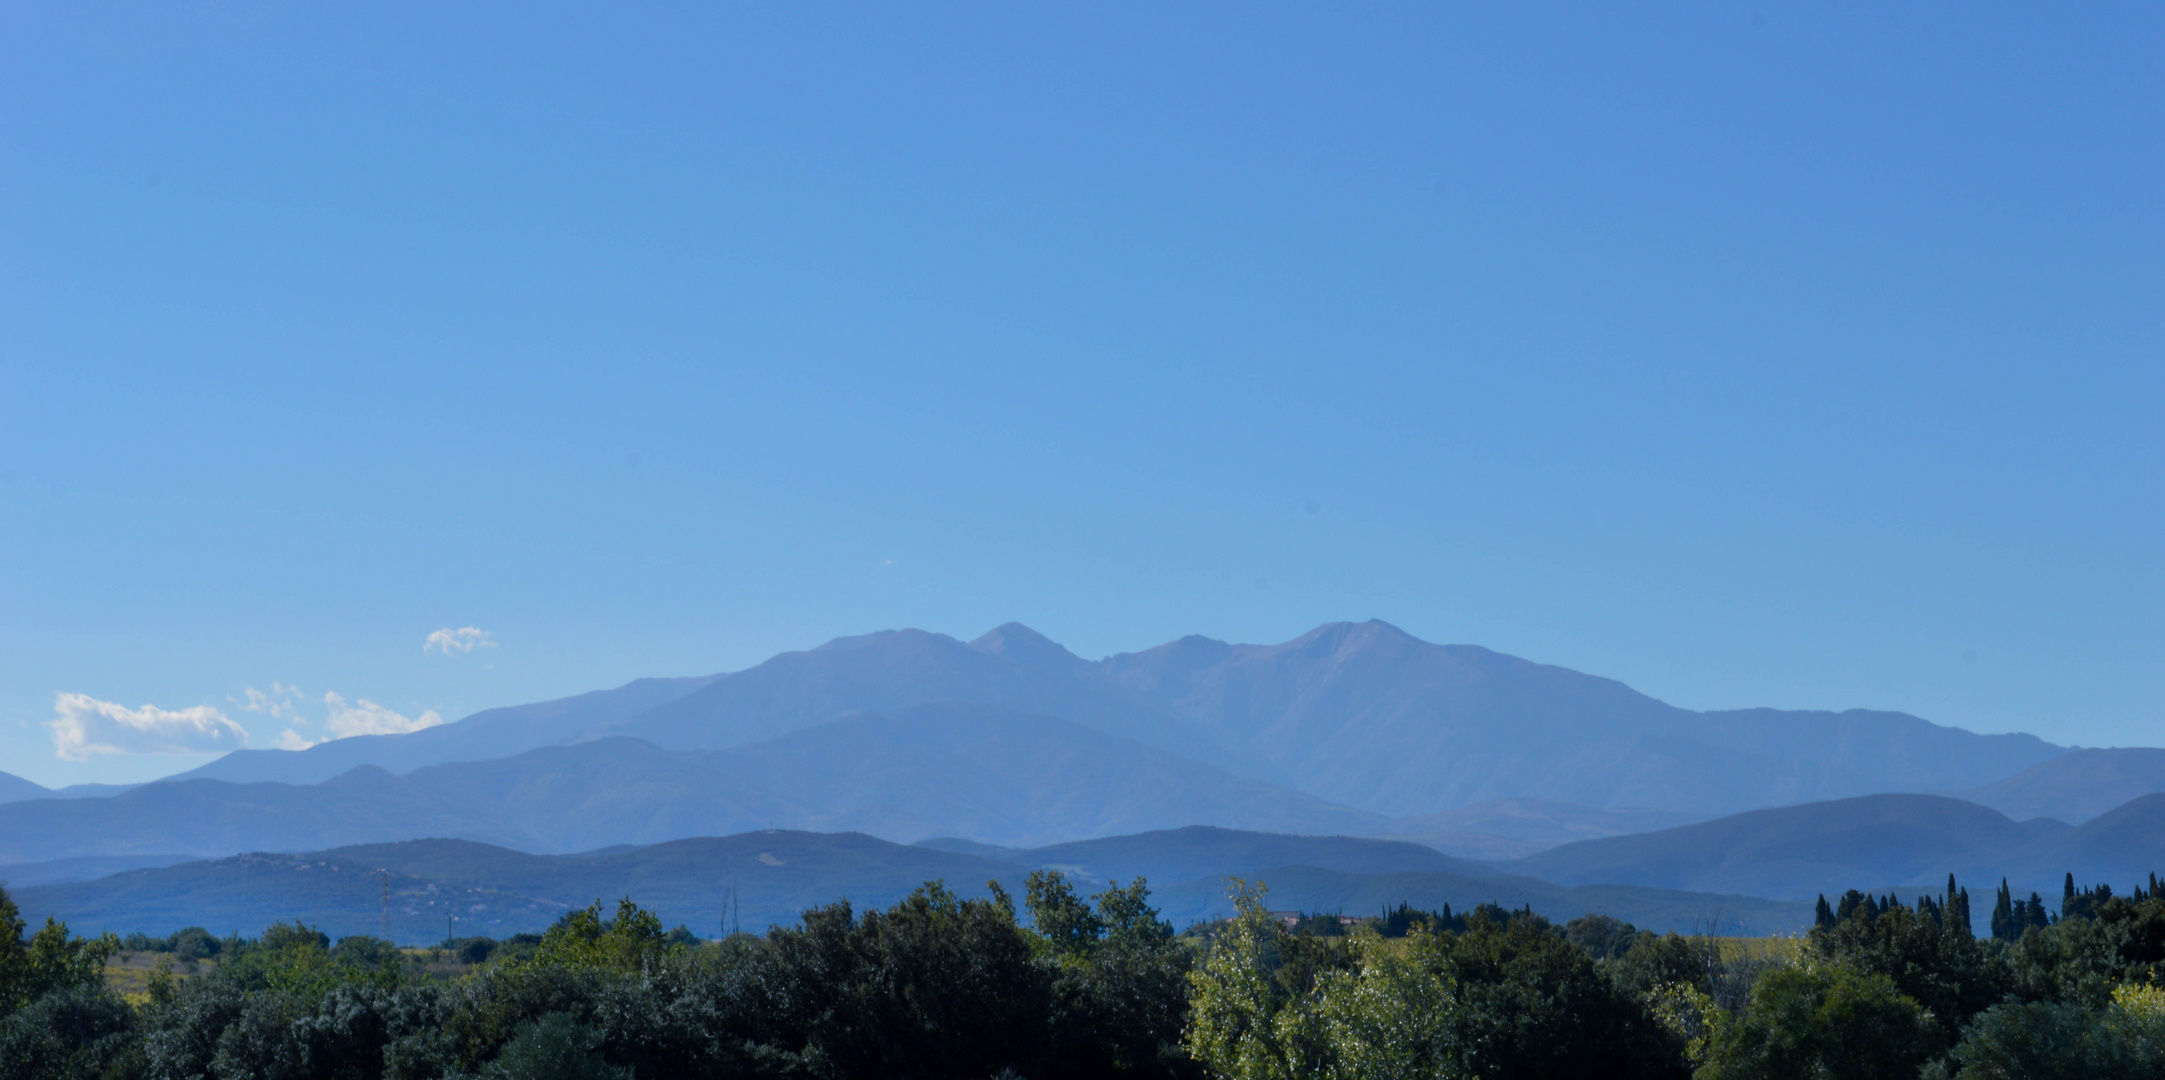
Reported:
(1757, 356)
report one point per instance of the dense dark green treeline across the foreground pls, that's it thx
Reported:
(1084, 988)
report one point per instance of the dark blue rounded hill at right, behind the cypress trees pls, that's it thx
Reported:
(1794, 854)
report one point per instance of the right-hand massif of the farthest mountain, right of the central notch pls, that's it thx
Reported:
(1372, 717)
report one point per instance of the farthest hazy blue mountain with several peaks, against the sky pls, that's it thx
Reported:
(1359, 715)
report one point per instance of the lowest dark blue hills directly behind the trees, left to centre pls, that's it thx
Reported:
(767, 878)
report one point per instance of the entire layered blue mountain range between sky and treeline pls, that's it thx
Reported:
(1460, 763)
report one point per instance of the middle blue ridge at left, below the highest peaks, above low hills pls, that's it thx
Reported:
(945, 769)
